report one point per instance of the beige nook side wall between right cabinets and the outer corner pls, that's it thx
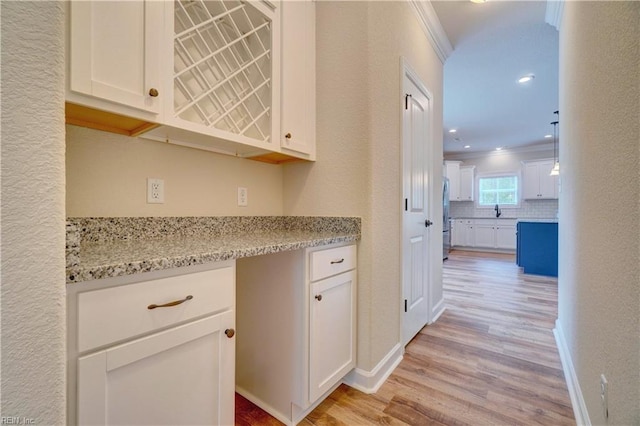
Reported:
(339, 182)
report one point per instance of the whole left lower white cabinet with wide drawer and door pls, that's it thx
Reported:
(179, 372)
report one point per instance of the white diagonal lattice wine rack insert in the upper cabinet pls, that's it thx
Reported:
(223, 67)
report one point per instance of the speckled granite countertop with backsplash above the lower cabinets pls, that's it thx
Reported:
(109, 247)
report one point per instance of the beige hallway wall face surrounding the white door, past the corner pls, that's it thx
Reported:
(394, 31)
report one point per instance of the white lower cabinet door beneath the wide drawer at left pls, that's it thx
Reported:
(179, 376)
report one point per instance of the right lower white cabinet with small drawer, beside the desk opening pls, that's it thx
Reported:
(296, 328)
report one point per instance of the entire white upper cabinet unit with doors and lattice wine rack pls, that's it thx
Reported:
(199, 73)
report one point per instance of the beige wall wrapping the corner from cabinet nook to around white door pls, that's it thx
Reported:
(359, 45)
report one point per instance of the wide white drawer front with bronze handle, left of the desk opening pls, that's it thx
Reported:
(113, 314)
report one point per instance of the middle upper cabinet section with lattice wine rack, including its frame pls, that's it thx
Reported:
(223, 74)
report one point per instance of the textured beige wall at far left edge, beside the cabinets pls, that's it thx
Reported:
(33, 226)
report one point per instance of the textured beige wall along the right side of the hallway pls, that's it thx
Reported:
(599, 263)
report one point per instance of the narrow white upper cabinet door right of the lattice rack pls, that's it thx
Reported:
(298, 77)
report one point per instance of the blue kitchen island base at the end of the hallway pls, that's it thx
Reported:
(537, 247)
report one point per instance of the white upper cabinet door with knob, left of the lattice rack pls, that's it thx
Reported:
(114, 56)
